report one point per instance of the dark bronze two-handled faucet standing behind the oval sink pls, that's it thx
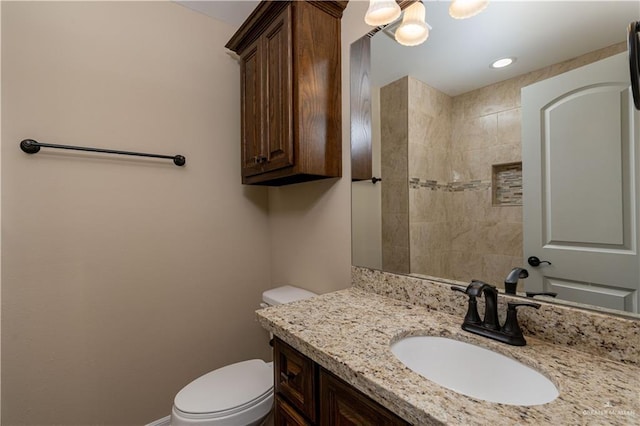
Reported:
(510, 333)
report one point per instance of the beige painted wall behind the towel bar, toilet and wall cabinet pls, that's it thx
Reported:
(123, 279)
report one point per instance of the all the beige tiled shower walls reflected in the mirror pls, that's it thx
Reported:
(443, 220)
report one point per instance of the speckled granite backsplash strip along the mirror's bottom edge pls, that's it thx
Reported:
(609, 336)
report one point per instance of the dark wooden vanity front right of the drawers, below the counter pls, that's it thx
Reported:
(341, 404)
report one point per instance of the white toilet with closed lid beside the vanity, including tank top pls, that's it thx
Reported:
(239, 394)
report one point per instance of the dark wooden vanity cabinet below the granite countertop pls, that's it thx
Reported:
(307, 394)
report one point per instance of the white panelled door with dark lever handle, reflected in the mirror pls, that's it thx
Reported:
(580, 185)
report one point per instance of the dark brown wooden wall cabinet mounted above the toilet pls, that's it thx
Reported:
(291, 108)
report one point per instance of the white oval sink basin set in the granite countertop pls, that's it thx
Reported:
(474, 371)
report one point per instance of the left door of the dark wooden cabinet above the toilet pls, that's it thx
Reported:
(251, 115)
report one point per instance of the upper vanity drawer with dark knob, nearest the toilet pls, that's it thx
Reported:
(295, 379)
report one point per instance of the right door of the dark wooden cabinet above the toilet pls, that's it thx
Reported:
(278, 123)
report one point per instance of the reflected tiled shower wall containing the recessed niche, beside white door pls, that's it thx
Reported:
(486, 240)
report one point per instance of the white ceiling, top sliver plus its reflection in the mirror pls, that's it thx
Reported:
(456, 56)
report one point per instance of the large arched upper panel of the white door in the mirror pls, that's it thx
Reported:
(585, 162)
